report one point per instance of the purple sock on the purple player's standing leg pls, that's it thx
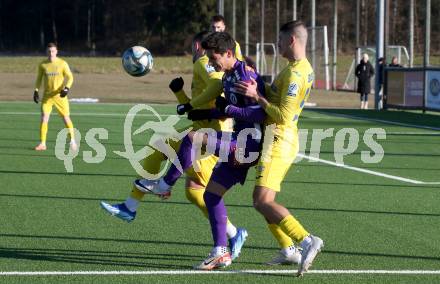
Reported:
(217, 217)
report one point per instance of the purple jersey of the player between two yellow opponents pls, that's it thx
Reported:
(246, 113)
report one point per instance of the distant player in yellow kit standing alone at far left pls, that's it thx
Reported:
(57, 80)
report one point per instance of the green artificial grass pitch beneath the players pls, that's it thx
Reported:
(51, 219)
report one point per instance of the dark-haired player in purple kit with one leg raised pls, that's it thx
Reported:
(238, 150)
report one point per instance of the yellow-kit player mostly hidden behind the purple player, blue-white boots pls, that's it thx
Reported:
(204, 76)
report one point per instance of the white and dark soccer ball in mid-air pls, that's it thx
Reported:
(137, 61)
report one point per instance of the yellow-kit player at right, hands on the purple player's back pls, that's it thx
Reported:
(285, 99)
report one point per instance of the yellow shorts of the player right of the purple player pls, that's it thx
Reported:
(273, 167)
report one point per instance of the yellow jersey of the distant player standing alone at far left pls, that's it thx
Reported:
(53, 74)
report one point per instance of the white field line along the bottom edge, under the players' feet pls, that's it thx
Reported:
(195, 272)
